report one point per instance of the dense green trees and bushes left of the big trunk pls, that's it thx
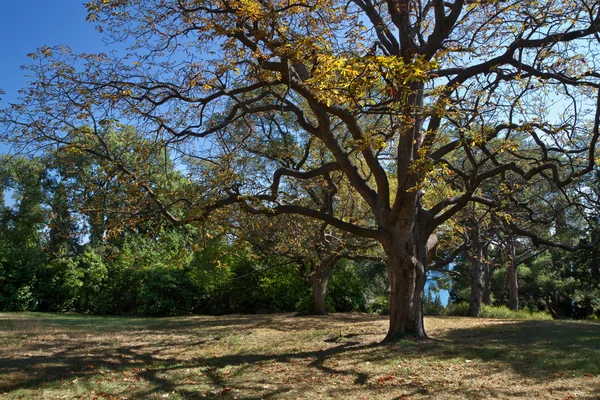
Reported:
(58, 254)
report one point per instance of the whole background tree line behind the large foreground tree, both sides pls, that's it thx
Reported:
(65, 247)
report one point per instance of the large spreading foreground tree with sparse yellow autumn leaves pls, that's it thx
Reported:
(386, 91)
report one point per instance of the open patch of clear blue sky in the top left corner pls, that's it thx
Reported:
(26, 25)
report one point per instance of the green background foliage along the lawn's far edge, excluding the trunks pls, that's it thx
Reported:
(156, 269)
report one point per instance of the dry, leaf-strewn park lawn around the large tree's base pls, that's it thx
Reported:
(282, 356)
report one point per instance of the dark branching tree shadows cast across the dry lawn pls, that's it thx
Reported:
(532, 349)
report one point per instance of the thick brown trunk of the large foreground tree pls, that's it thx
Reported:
(406, 242)
